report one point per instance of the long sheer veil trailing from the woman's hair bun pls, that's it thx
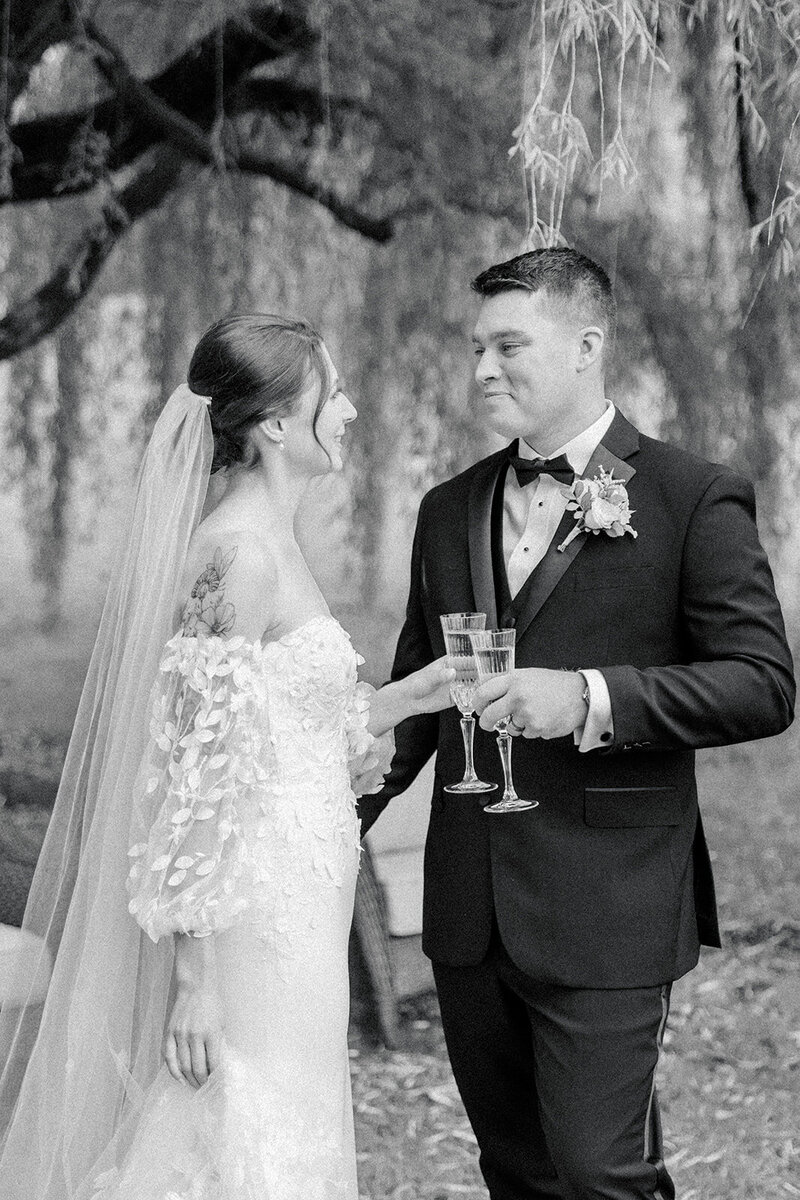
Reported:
(75, 1067)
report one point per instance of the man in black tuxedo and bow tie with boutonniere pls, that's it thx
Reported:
(556, 933)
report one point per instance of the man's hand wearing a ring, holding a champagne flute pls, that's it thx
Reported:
(542, 704)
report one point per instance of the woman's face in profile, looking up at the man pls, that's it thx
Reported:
(317, 451)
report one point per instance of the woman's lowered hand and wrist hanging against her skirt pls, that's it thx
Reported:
(194, 1036)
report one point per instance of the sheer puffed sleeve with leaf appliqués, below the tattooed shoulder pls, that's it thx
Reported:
(203, 796)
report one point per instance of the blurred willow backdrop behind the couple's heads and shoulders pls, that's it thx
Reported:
(357, 163)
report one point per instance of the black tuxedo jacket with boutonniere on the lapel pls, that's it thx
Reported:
(607, 884)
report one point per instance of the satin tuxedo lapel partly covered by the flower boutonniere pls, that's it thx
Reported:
(619, 442)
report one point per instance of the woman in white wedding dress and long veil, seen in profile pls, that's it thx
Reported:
(200, 869)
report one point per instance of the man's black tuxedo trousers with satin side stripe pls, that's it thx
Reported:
(558, 1083)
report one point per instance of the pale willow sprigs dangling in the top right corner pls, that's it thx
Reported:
(564, 140)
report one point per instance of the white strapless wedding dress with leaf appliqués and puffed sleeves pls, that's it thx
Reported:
(248, 831)
